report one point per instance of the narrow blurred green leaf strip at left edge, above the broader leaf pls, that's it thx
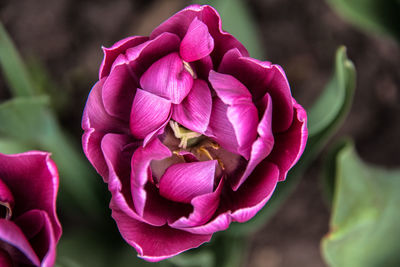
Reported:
(13, 68)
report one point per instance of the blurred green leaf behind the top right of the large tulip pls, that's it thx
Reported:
(238, 20)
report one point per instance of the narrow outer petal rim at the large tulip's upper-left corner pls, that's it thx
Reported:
(110, 54)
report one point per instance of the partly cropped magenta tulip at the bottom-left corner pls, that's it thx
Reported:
(29, 227)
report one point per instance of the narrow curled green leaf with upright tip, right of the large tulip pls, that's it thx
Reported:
(324, 119)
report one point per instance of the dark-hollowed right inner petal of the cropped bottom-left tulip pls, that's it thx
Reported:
(37, 228)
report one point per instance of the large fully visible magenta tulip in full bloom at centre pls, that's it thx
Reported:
(189, 132)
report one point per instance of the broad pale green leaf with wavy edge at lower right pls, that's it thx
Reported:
(365, 222)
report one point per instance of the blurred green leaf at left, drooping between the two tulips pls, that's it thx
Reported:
(31, 123)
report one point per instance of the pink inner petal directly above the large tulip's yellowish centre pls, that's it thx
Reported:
(195, 110)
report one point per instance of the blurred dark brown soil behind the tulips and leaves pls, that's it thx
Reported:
(302, 36)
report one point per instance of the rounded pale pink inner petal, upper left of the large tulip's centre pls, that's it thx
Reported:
(168, 78)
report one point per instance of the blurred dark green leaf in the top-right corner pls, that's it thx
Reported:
(371, 15)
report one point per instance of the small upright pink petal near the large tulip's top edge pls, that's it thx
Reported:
(197, 43)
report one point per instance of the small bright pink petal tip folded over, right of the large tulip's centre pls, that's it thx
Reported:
(228, 88)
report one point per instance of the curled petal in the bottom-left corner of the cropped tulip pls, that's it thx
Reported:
(17, 246)
